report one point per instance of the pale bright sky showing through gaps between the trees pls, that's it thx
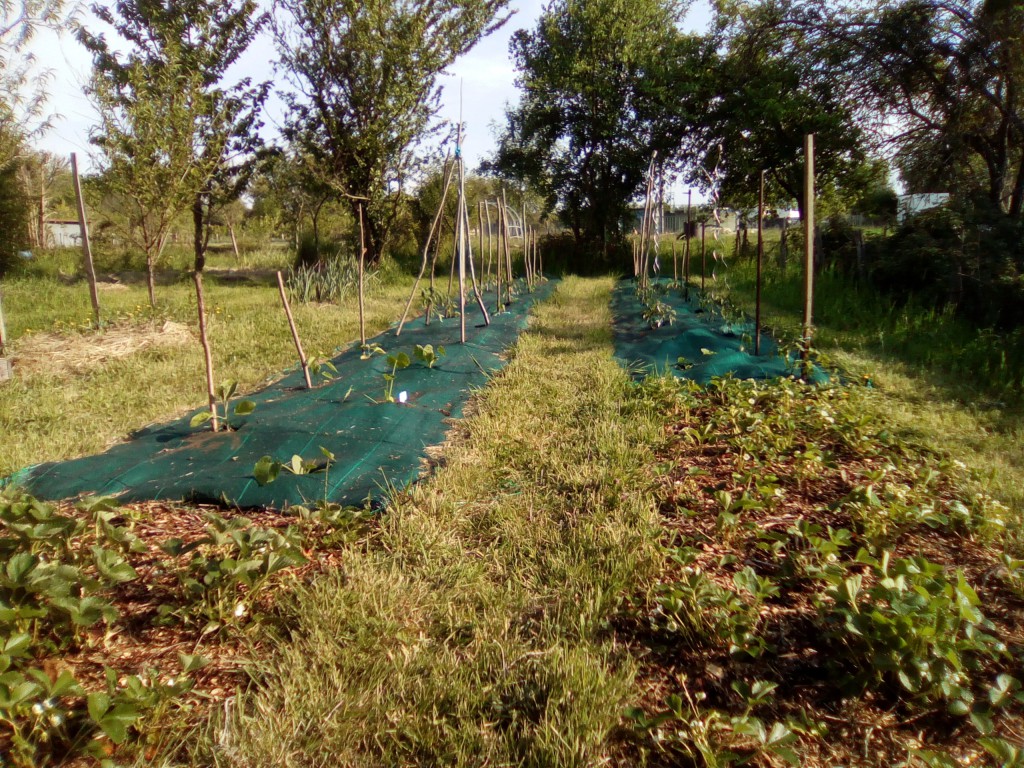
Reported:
(482, 83)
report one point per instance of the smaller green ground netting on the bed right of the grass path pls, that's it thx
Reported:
(710, 346)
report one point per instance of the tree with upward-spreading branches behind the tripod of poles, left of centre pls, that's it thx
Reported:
(367, 78)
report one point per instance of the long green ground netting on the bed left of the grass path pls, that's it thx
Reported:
(375, 445)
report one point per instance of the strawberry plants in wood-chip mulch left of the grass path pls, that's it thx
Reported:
(69, 586)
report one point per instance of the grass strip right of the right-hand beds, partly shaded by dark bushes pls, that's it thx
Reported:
(937, 380)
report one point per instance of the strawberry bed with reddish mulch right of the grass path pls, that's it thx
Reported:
(827, 586)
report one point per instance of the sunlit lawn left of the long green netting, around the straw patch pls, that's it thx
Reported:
(55, 416)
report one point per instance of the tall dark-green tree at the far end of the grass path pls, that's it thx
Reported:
(606, 86)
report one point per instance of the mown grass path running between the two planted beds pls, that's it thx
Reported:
(474, 627)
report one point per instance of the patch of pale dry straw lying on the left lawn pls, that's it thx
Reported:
(57, 355)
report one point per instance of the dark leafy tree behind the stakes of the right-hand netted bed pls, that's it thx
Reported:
(772, 87)
